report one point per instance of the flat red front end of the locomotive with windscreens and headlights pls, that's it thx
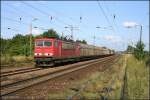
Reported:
(43, 52)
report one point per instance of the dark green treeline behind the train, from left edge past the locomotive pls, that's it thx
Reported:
(20, 44)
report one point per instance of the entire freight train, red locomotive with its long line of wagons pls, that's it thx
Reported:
(48, 51)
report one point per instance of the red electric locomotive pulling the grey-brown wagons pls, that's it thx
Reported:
(50, 50)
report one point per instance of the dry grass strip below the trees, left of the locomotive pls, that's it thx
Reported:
(15, 61)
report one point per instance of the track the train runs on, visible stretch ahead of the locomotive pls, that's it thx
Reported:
(19, 71)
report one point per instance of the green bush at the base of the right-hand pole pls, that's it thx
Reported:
(139, 51)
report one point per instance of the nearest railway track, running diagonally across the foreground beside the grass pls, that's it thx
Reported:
(7, 89)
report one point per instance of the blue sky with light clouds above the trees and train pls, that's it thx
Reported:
(66, 13)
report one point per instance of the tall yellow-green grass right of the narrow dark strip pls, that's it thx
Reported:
(137, 79)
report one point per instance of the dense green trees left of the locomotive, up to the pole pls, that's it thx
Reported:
(18, 45)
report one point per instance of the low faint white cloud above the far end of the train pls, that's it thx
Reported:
(112, 38)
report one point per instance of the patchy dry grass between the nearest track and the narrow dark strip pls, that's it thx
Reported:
(106, 84)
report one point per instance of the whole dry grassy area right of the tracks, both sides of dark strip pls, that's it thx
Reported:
(109, 84)
